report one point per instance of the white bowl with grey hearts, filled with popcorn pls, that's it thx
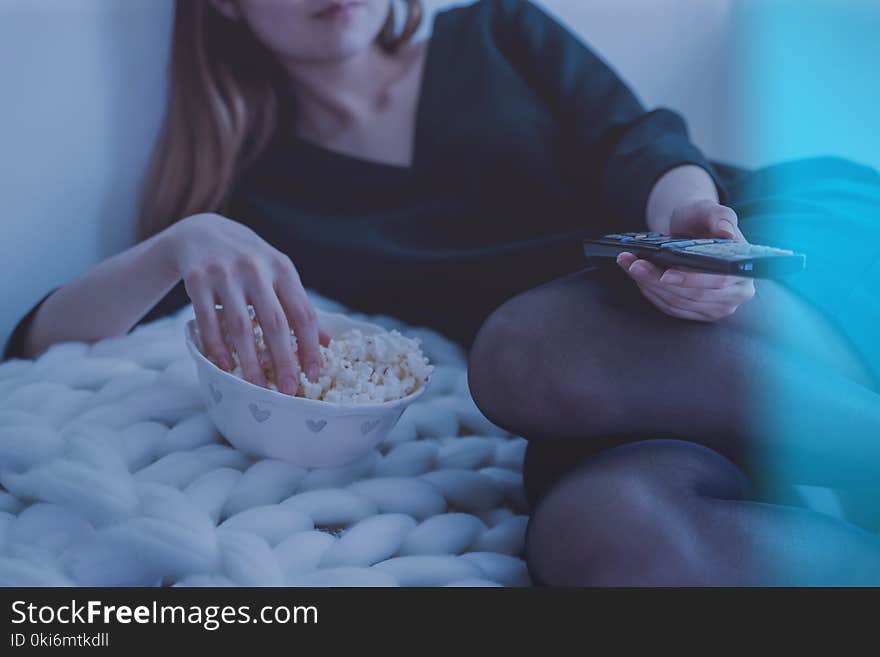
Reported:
(368, 376)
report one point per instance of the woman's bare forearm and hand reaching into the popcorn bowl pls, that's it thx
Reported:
(220, 261)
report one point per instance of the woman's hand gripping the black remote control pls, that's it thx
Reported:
(686, 293)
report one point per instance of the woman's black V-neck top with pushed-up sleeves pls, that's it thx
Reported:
(526, 141)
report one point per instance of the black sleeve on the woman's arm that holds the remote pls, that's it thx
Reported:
(615, 147)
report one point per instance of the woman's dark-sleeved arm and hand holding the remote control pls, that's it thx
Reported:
(641, 163)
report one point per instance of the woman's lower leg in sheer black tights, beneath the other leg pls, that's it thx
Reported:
(674, 513)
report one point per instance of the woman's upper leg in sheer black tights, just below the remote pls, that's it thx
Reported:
(585, 358)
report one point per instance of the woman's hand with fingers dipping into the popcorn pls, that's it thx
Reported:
(224, 262)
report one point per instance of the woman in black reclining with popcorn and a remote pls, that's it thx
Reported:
(449, 182)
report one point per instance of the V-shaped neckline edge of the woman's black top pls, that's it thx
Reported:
(426, 80)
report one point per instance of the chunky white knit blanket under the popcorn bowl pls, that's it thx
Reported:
(112, 474)
